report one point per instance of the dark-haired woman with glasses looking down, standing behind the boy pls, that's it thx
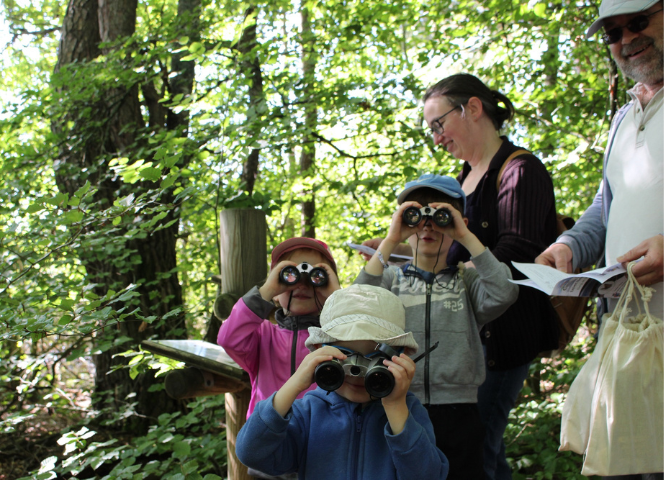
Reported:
(511, 209)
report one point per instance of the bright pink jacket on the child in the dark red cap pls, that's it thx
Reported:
(269, 353)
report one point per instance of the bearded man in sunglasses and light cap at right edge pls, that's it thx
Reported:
(626, 219)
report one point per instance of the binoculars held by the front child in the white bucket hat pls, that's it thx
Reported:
(378, 380)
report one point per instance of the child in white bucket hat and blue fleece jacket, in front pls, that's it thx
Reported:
(347, 433)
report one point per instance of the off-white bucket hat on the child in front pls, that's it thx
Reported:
(363, 312)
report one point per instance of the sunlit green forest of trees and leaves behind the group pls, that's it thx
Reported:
(127, 126)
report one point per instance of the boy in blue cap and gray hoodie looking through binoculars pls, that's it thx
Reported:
(447, 304)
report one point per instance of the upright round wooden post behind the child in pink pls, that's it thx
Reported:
(243, 250)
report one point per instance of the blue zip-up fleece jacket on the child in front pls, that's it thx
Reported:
(324, 436)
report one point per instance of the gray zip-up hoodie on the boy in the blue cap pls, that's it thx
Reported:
(449, 308)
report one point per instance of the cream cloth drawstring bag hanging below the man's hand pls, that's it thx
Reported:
(621, 394)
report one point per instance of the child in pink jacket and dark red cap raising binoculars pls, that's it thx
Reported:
(271, 353)
